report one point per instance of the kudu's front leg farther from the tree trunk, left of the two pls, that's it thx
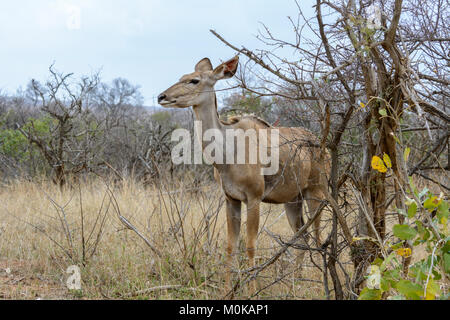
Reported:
(234, 227)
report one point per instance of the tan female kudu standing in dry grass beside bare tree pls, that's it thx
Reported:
(301, 175)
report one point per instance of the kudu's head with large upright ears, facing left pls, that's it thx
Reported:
(196, 88)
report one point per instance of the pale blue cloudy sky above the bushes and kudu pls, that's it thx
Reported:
(152, 43)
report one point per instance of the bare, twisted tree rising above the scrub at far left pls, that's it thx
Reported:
(63, 103)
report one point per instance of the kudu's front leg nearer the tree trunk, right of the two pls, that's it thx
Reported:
(252, 233)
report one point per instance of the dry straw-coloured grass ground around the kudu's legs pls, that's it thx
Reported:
(42, 231)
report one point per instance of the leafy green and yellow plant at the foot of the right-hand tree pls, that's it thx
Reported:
(426, 225)
